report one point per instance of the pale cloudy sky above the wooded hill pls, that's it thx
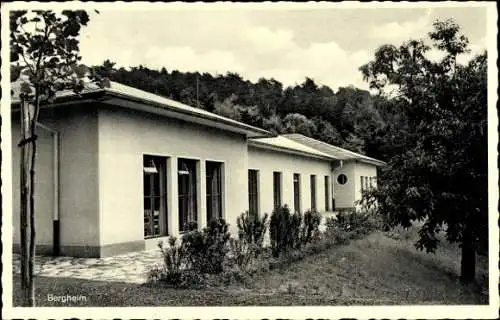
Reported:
(328, 44)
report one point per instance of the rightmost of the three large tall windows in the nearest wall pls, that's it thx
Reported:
(214, 190)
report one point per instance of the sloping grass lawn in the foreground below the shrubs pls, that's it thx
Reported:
(376, 270)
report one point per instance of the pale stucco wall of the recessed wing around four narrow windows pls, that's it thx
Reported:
(267, 161)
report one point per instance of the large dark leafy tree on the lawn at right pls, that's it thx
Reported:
(440, 175)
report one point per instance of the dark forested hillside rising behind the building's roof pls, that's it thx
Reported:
(349, 118)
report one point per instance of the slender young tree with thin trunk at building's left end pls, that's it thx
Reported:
(44, 60)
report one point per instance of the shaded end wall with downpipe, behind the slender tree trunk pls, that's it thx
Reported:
(78, 177)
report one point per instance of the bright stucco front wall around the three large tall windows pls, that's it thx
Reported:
(125, 136)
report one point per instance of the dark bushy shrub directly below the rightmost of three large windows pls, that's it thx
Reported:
(206, 250)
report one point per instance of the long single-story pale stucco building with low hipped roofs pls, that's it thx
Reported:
(119, 169)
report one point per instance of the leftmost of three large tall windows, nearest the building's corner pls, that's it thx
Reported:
(155, 194)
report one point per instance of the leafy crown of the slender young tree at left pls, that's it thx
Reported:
(45, 53)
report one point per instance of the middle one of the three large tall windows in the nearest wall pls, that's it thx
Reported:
(188, 211)
